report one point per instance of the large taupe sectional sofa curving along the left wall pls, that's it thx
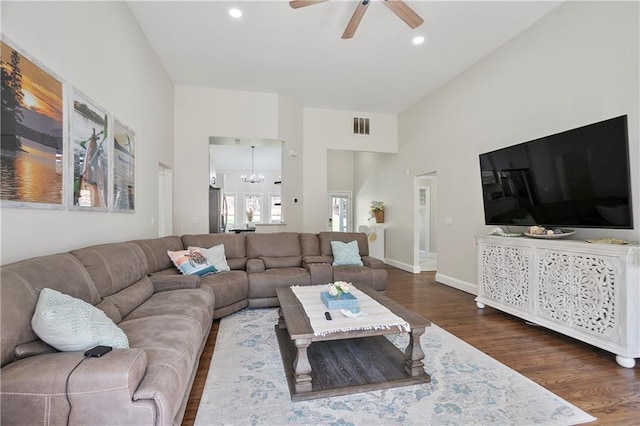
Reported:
(166, 317)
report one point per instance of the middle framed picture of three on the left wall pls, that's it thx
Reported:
(91, 153)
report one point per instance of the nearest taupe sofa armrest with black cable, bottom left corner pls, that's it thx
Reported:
(98, 388)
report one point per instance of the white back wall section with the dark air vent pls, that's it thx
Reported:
(332, 129)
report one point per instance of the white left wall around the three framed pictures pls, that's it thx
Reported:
(99, 49)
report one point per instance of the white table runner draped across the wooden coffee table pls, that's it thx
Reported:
(378, 317)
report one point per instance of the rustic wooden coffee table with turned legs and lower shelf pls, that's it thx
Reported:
(342, 363)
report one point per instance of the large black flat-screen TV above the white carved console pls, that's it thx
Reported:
(577, 178)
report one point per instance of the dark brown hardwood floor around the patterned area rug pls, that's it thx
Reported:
(579, 373)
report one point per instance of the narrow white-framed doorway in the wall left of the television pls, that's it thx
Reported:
(425, 255)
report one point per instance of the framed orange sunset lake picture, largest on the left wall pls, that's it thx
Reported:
(32, 122)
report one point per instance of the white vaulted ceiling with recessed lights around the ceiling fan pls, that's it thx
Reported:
(299, 52)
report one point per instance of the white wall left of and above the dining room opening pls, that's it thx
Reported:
(201, 113)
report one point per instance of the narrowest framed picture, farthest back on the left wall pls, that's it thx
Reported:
(124, 171)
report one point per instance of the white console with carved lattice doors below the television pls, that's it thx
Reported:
(590, 292)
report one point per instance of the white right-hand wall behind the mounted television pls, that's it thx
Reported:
(576, 66)
